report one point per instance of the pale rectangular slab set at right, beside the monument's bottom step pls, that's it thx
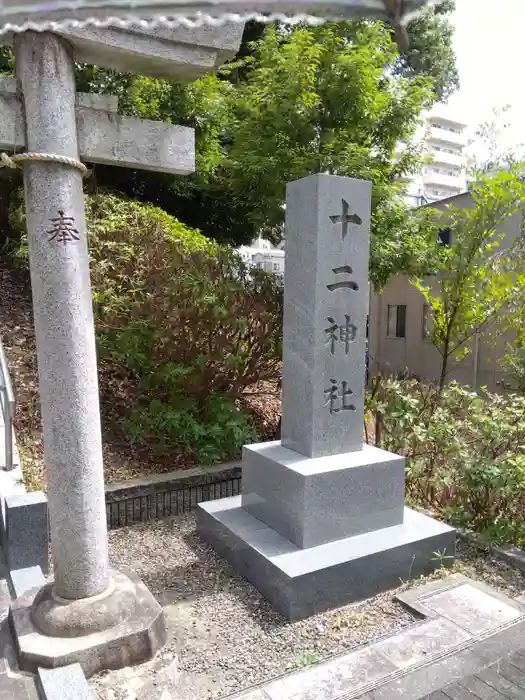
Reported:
(471, 608)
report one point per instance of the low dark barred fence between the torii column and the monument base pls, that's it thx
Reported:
(169, 503)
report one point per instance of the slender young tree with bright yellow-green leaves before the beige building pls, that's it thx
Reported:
(477, 281)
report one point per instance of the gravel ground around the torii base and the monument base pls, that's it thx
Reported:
(224, 636)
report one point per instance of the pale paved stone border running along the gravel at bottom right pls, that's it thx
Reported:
(413, 662)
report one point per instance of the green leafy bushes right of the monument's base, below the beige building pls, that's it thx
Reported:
(465, 455)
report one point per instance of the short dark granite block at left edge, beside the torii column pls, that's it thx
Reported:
(27, 532)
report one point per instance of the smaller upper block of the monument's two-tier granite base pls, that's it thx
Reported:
(315, 501)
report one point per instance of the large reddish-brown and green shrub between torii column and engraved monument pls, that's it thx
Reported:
(183, 329)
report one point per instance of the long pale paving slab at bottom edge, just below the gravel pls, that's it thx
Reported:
(332, 678)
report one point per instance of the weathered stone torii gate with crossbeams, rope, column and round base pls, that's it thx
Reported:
(90, 614)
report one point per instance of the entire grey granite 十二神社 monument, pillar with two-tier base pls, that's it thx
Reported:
(321, 521)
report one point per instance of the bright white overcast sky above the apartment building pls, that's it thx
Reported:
(490, 46)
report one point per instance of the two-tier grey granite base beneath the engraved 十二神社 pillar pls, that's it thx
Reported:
(315, 534)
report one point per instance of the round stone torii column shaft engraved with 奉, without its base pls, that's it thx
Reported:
(62, 304)
